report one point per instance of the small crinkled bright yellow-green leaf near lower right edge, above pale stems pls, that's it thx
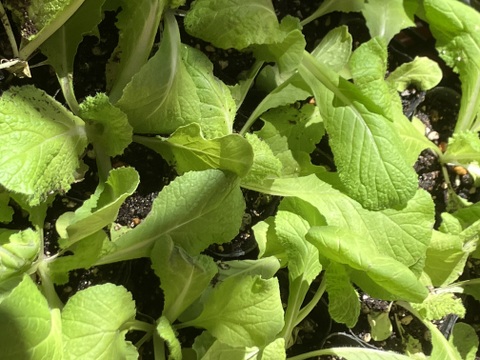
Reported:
(437, 306)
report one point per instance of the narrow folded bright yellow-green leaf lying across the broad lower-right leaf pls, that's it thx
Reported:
(346, 247)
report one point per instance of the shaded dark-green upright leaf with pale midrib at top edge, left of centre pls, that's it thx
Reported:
(137, 24)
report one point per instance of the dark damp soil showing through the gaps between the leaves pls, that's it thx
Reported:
(437, 109)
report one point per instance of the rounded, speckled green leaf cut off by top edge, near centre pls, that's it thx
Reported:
(233, 23)
